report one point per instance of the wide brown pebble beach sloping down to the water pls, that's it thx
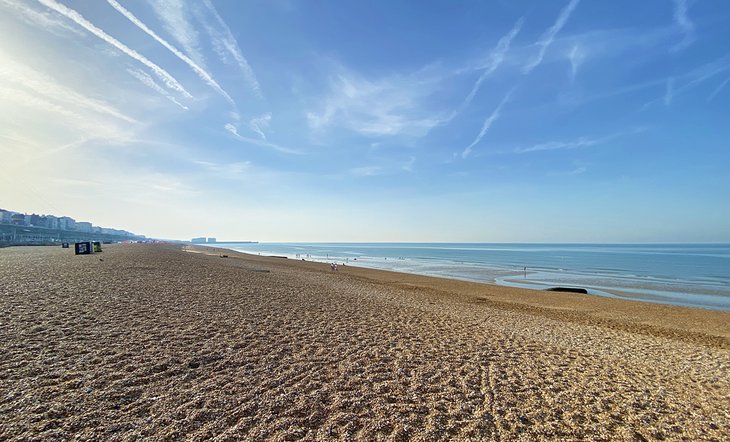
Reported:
(166, 342)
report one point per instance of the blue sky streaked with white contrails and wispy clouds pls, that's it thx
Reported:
(539, 121)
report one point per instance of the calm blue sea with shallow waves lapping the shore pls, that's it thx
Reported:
(692, 275)
